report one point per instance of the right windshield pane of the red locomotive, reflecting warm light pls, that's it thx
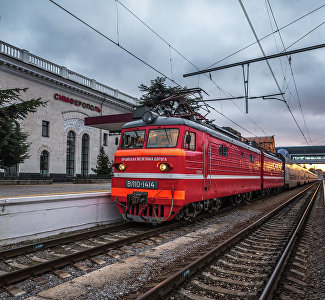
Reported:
(162, 138)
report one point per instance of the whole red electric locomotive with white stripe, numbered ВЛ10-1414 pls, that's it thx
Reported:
(168, 168)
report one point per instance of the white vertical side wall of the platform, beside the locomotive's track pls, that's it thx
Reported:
(25, 218)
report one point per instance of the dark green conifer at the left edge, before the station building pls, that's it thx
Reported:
(13, 141)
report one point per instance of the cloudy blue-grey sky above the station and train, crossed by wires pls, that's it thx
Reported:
(204, 32)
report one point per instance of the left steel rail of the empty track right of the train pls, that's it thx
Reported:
(178, 277)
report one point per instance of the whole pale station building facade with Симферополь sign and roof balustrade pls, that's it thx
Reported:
(61, 145)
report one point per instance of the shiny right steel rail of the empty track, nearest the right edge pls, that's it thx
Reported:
(276, 274)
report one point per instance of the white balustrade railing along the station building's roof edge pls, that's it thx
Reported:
(62, 71)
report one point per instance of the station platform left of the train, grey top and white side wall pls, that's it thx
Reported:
(36, 211)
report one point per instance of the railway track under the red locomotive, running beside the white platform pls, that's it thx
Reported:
(80, 251)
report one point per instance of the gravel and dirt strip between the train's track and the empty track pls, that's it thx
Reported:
(130, 272)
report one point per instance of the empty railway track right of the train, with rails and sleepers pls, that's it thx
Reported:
(246, 266)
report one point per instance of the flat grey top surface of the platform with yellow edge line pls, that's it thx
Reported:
(7, 191)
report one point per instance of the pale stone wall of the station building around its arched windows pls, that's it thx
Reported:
(63, 117)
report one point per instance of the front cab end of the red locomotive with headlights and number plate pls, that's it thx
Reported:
(147, 165)
